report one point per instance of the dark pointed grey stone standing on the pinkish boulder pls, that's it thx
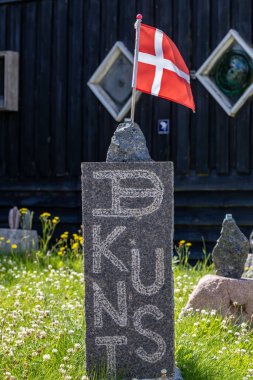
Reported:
(231, 251)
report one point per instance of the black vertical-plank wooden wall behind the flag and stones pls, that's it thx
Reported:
(60, 122)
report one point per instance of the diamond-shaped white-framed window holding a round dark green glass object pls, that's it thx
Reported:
(228, 73)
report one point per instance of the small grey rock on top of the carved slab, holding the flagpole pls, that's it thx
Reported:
(128, 144)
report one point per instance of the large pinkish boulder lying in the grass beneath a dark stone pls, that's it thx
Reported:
(228, 296)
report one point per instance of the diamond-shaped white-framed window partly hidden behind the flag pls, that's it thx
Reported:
(111, 82)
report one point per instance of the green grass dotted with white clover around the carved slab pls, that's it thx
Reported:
(42, 326)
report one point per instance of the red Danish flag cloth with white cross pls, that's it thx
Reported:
(161, 69)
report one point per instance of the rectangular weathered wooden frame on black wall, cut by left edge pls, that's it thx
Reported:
(9, 77)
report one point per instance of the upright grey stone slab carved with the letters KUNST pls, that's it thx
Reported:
(128, 228)
